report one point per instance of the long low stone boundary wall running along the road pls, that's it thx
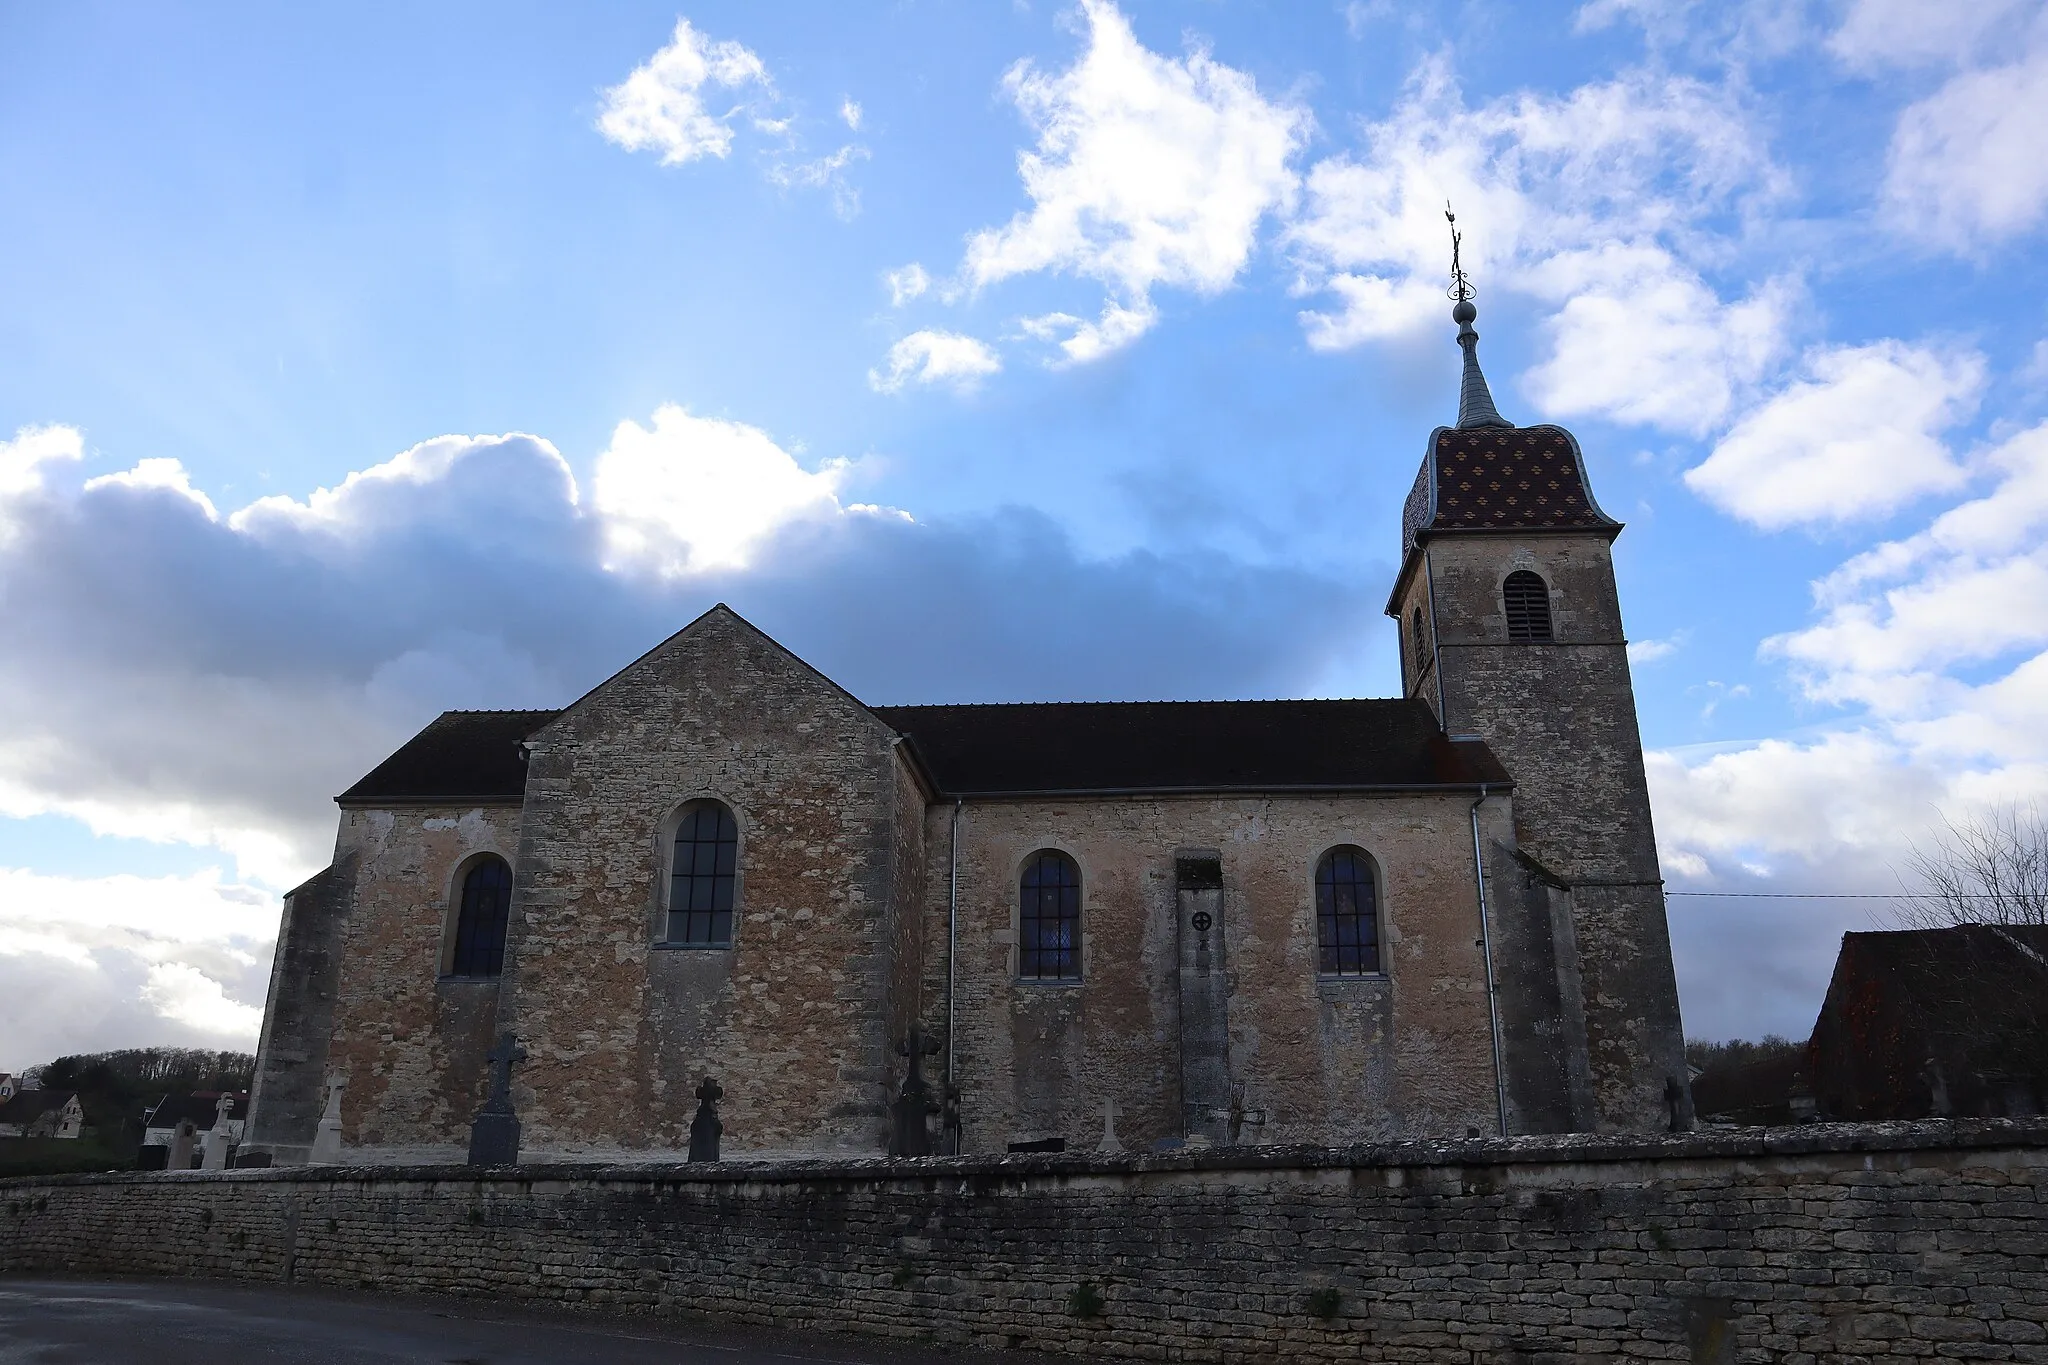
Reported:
(1818, 1245)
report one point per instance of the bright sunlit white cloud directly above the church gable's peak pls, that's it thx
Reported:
(695, 494)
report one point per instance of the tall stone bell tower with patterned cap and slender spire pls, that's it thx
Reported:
(1512, 631)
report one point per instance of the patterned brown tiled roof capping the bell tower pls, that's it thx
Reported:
(1500, 478)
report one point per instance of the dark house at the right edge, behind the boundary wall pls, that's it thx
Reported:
(1934, 1022)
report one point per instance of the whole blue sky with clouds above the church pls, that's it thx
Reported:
(366, 365)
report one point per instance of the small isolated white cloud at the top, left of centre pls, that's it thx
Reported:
(660, 107)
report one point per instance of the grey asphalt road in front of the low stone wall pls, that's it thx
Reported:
(204, 1323)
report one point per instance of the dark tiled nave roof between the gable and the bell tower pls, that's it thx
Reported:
(1189, 748)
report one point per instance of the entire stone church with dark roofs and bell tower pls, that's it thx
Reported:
(1228, 922)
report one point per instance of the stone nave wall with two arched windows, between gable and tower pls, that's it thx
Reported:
(1355, 1059)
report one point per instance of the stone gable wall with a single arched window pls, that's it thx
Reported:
(794, 1016)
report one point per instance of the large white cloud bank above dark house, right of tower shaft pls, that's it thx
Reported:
(1938, 650)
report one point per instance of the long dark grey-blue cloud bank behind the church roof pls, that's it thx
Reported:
(220, 678)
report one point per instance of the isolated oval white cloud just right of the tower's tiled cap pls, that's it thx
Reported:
(1859, 437)
